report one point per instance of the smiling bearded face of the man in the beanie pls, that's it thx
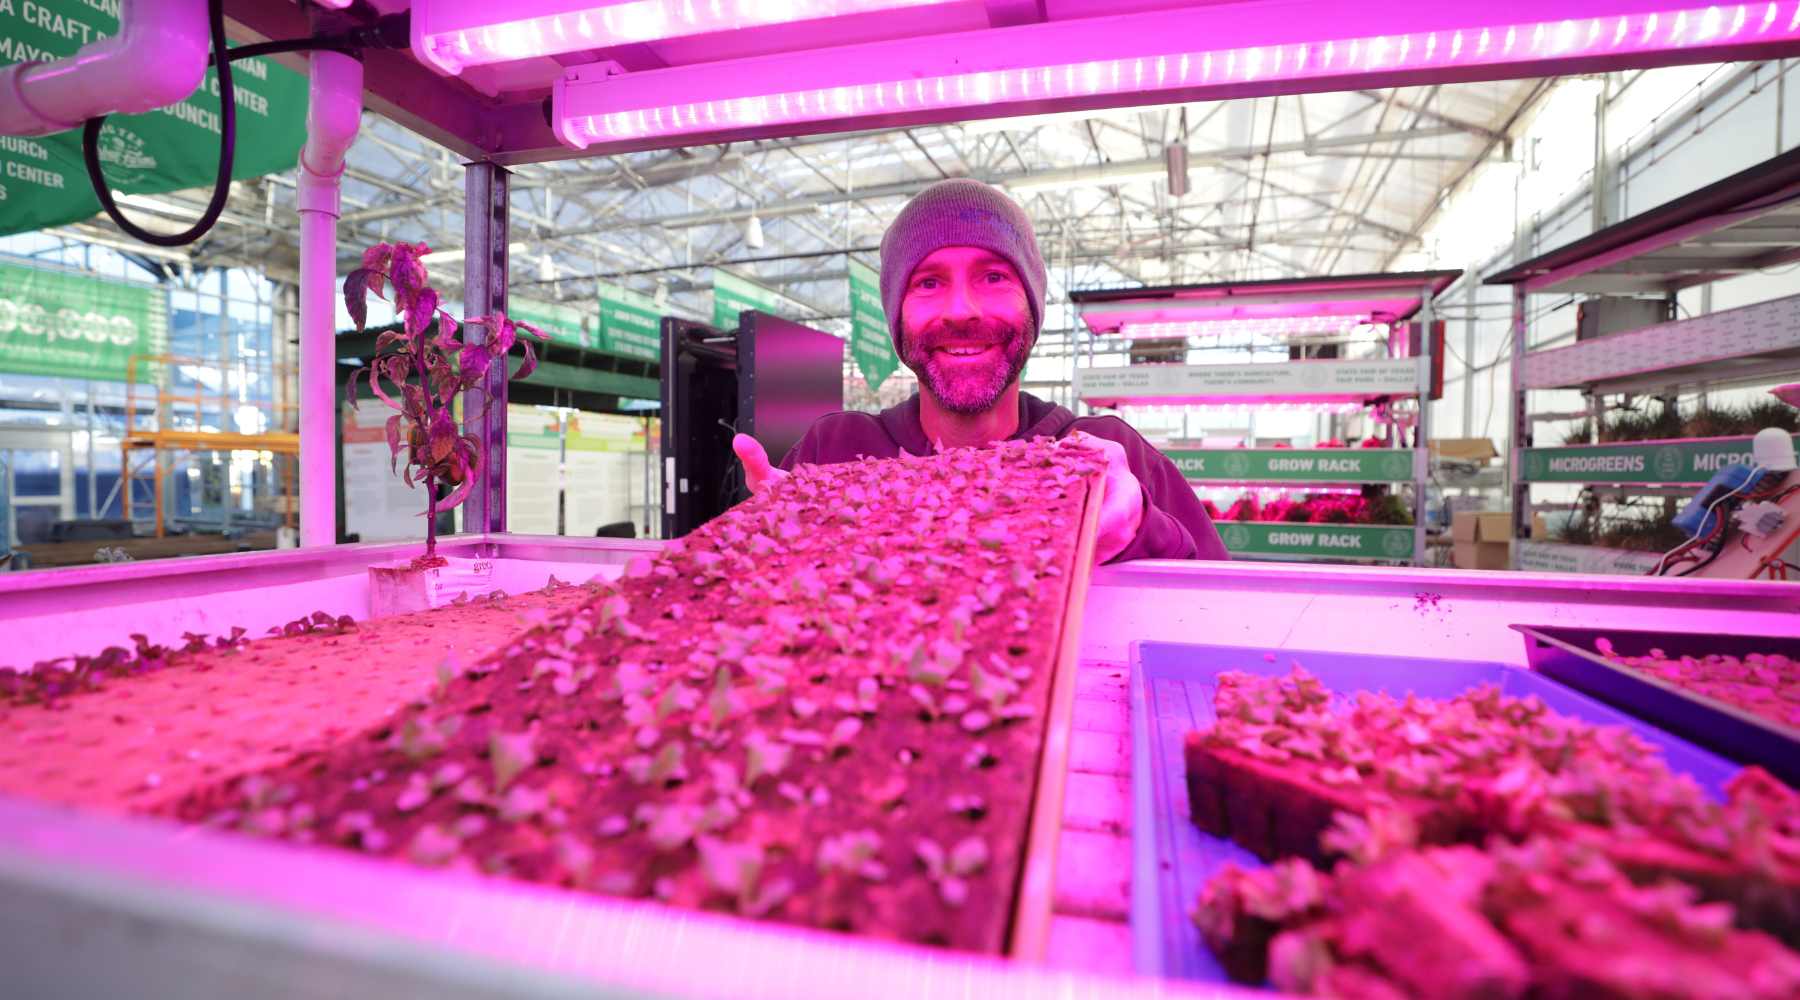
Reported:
(966, 328)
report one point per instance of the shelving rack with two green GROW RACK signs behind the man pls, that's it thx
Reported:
(1263, 314)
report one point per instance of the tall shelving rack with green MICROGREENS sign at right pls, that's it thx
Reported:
(1743, 224)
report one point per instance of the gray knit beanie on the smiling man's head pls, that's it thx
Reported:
(960, 213)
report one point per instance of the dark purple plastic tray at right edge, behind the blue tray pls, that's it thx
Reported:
(1569, 656)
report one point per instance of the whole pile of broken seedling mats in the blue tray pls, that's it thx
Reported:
(1304, 778)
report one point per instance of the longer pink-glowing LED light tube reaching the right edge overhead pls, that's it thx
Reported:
(1124, 57)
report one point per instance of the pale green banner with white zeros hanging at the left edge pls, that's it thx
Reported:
(78, 326)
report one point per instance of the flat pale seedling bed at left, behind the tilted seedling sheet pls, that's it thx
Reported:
(132, 728)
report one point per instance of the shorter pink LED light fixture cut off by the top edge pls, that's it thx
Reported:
(453, 35)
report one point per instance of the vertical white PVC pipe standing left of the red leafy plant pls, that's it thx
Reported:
(332, 120)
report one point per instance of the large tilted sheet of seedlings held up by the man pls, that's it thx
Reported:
(825, 708)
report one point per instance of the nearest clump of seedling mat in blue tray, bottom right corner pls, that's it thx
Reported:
(1542, 920)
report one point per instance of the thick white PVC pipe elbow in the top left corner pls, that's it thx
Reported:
(157, 58)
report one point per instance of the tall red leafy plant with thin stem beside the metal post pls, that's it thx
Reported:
(429, 366)
